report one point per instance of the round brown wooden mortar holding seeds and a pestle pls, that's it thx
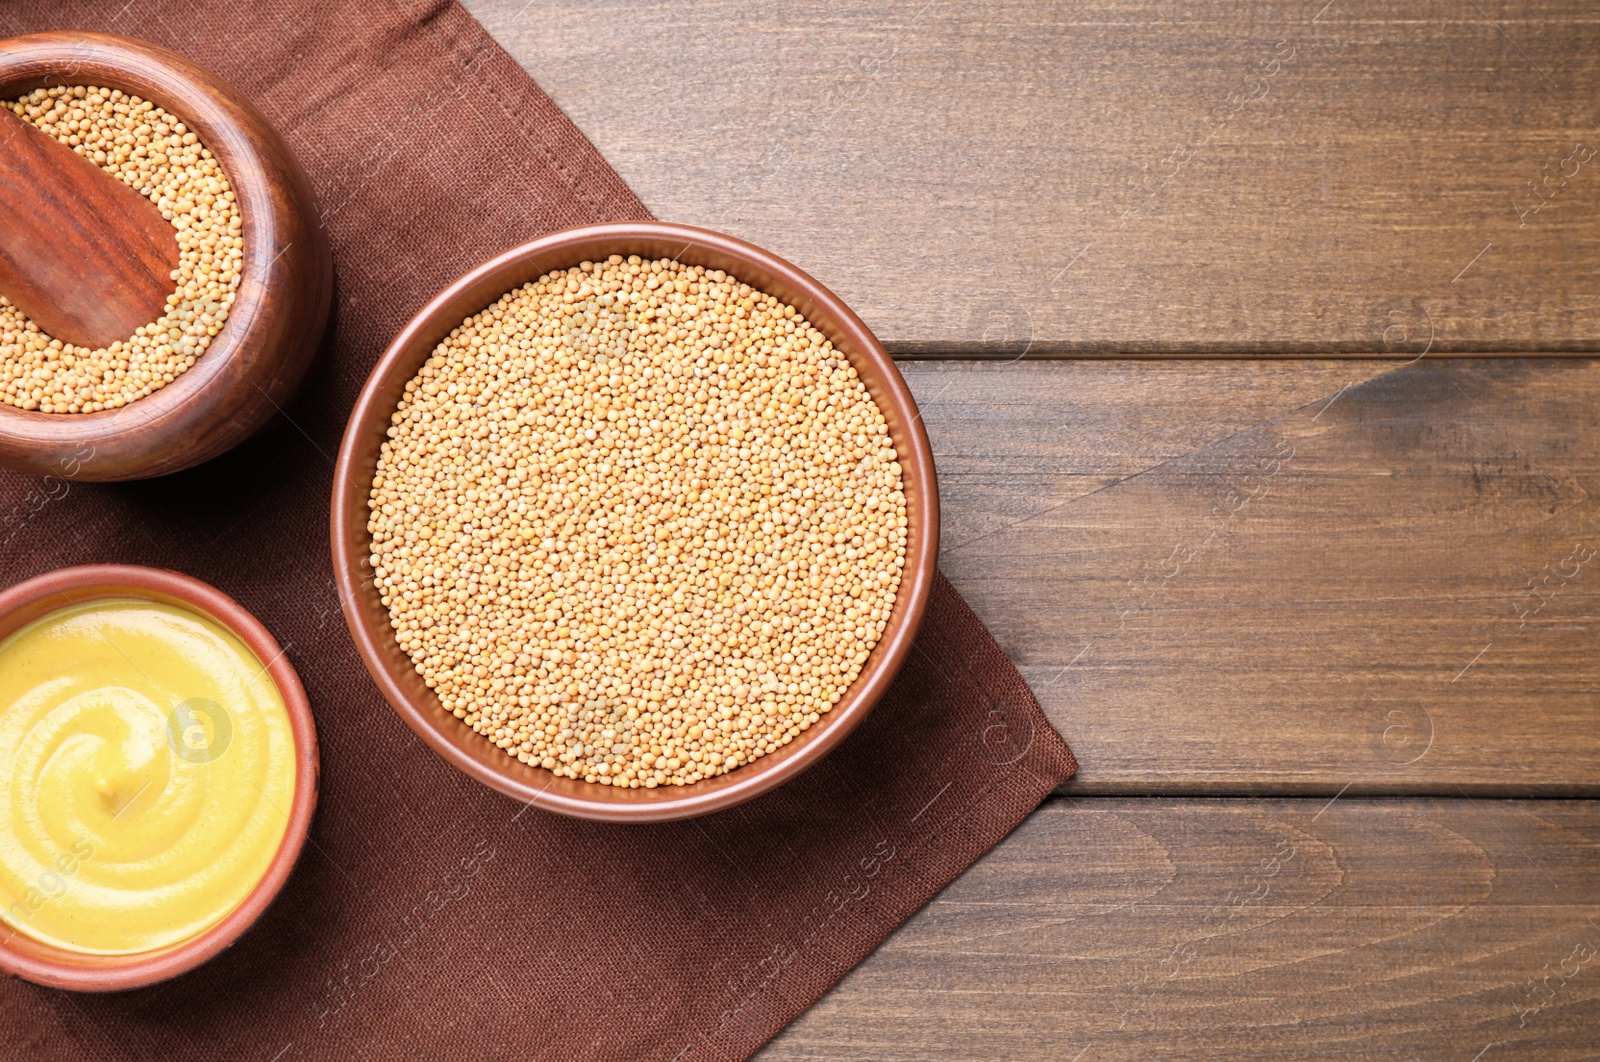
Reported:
(257, 361)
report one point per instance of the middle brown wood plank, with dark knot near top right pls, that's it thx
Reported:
(1252, 578)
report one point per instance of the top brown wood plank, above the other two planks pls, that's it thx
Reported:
(1122, 177)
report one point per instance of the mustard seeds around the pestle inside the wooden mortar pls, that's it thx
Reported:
(154, 153)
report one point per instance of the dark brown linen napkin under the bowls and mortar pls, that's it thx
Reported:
(428, 916)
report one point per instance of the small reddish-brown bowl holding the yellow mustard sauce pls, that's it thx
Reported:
(41, 596)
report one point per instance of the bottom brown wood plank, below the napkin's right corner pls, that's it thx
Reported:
(1244, 930)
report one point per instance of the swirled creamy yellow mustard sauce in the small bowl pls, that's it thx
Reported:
(148, 772)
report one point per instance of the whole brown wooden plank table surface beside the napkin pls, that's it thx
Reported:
(1254, 341)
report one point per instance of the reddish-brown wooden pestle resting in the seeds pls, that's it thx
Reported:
(84, 255)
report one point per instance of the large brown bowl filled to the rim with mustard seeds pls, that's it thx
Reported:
(369, 620)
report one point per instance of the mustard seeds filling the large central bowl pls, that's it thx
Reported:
(638, 524)
